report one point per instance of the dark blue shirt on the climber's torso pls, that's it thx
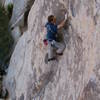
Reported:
(51, 31)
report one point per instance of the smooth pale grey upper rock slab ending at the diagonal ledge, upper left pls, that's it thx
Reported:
(20, 7)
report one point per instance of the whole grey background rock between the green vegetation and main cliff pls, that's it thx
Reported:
(18, 21)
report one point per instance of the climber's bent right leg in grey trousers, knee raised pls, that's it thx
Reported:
(60, 47)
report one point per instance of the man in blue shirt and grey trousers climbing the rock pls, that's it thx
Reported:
(52, 30)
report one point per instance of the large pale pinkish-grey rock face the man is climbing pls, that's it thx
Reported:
(69, 77)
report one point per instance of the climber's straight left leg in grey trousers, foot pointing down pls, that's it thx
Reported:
(51, 53)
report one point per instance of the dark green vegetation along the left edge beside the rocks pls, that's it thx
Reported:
(6, 43)
